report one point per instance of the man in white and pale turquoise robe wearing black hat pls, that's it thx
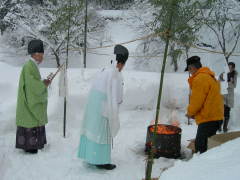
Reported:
(101, 121)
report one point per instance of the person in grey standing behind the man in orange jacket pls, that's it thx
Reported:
(229, 97)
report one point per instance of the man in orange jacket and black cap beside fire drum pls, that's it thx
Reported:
(206, 102)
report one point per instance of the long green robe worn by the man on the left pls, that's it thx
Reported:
(32, 98)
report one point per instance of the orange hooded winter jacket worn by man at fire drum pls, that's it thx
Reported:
(206, 101)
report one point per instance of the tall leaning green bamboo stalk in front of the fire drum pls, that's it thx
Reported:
(150, 159)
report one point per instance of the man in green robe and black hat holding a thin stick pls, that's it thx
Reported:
(31, 115)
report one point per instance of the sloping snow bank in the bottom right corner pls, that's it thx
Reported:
(220, 163)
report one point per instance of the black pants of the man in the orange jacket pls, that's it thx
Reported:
(204, 131)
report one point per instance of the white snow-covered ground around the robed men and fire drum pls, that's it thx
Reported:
(58, 159)
